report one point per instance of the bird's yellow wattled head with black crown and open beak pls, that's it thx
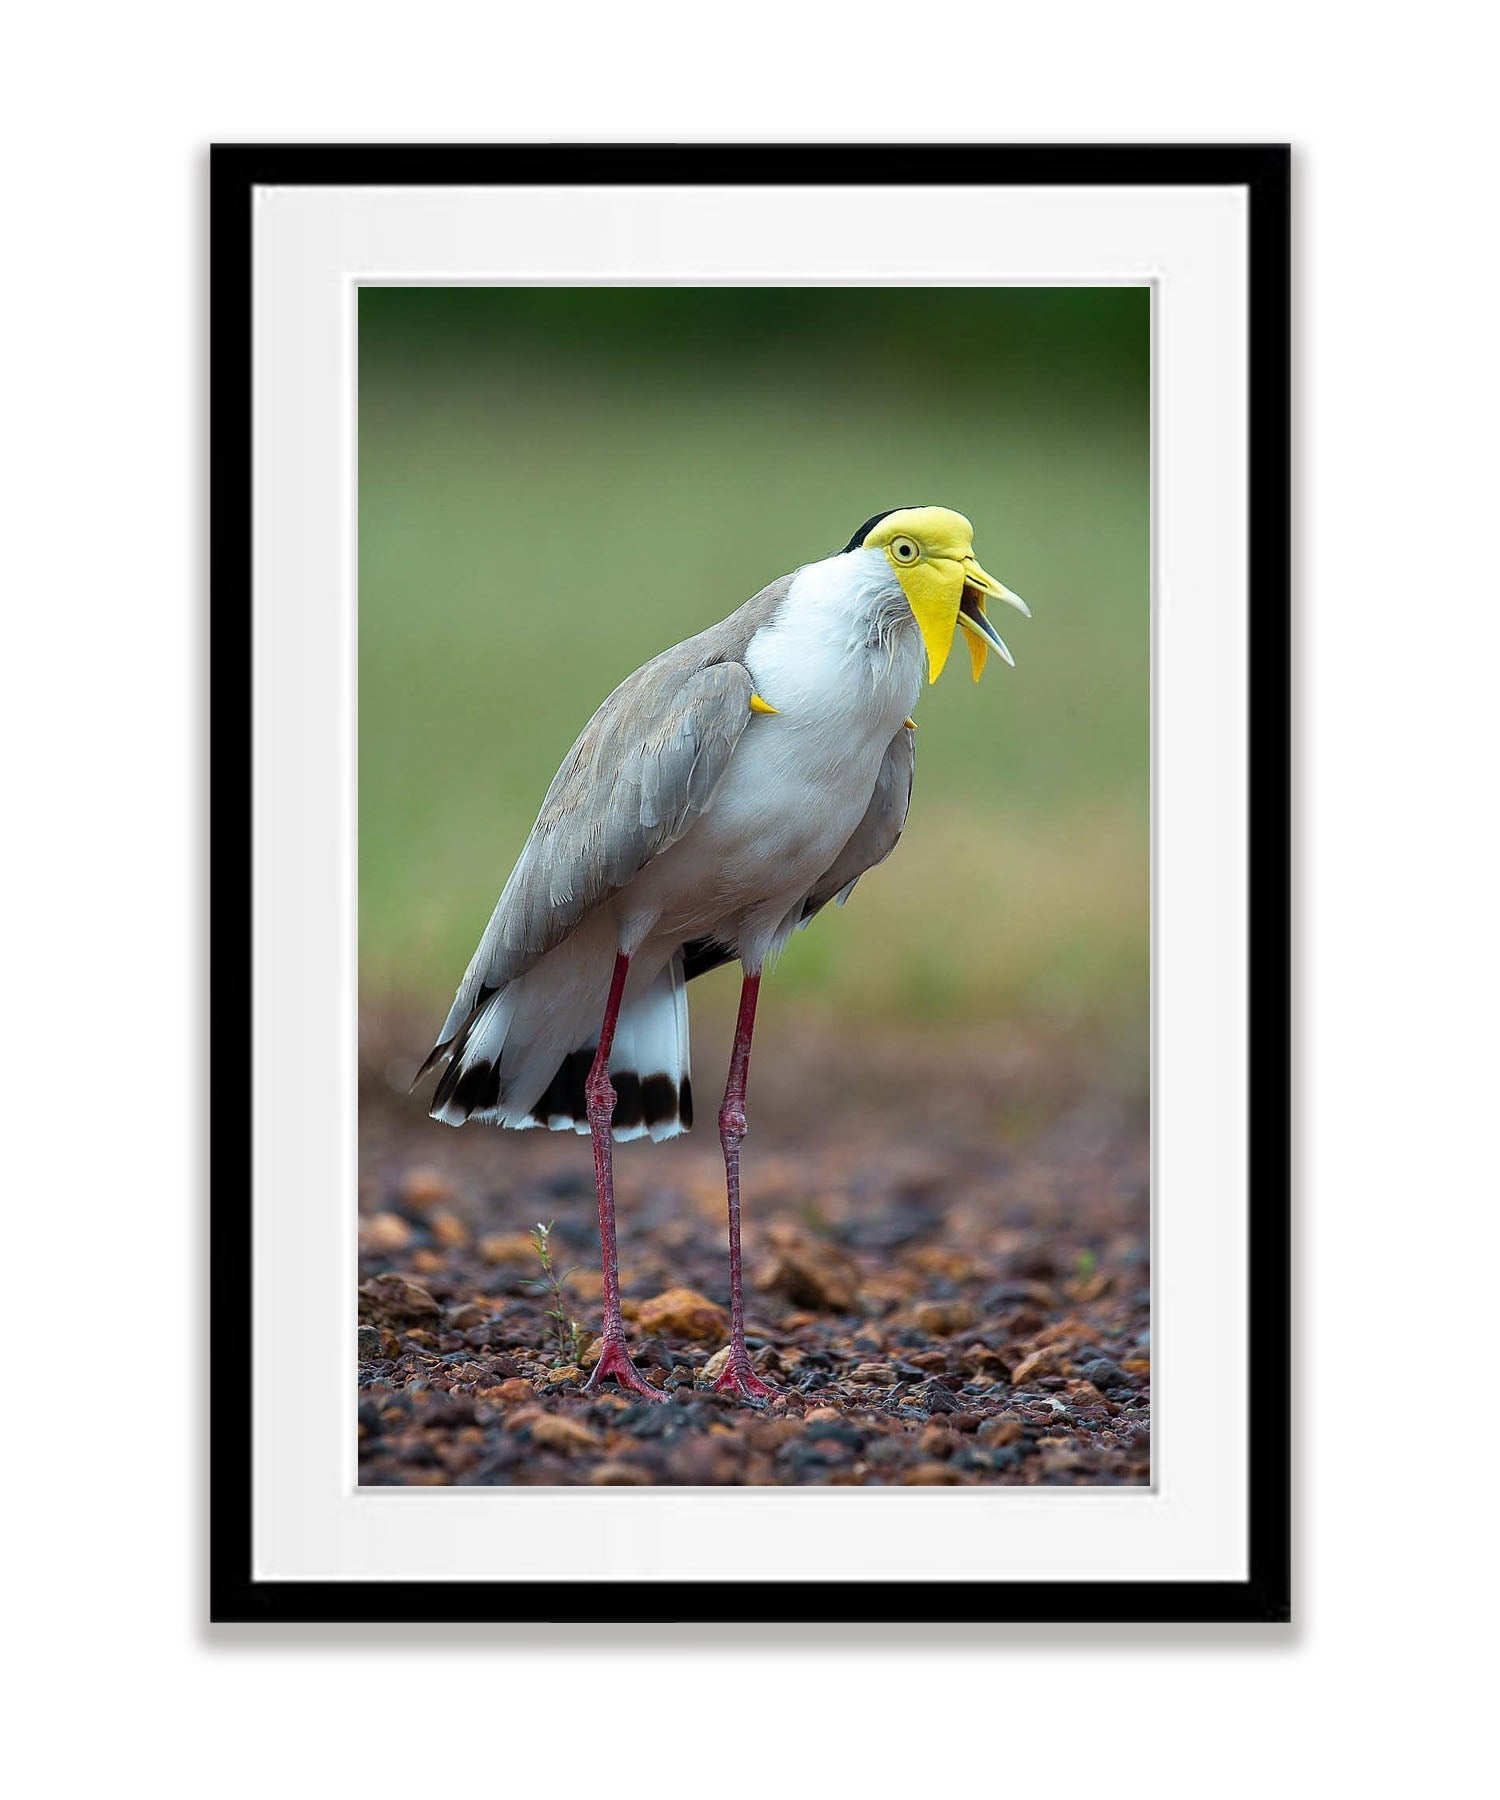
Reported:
(932, 553)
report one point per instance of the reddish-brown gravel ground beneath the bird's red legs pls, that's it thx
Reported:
(948, 1277)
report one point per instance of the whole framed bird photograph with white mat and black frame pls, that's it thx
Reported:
(750, 850)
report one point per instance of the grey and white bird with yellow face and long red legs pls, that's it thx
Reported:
(723, 796)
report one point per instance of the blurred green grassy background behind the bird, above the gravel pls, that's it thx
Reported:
(559, 483)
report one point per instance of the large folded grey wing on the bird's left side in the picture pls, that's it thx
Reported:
(644, 769)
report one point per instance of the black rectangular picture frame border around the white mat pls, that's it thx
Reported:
(1265, 1596)
